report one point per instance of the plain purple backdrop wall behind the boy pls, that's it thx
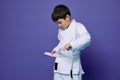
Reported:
(26, 31)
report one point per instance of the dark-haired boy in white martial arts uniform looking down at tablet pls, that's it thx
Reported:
(73, 37)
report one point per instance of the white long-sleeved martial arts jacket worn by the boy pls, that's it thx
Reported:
(78, 37)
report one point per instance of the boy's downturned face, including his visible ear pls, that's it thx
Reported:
(64, 23)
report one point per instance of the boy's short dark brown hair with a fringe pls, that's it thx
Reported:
(60, 12)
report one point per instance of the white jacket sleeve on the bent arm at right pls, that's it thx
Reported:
(83, 38)
